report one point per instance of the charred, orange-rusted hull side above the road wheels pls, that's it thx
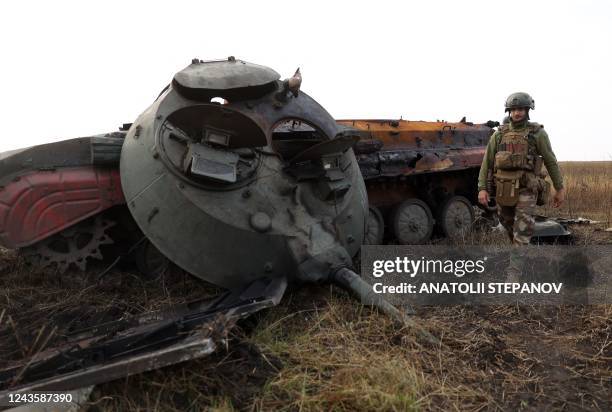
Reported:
(431, 161)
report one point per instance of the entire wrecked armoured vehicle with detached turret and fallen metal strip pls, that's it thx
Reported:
(228, 160)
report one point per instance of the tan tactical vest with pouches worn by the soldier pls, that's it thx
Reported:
(517, 164)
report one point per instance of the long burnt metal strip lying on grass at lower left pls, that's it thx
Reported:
(131, 346)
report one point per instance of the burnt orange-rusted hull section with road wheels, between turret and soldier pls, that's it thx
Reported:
(420, 176)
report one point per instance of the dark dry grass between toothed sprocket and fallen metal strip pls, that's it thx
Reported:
(34, 303)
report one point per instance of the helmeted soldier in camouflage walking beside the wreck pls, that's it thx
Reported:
(514, 159)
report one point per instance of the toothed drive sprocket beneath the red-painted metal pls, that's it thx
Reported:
(73, 245)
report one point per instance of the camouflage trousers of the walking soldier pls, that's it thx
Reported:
(519, 220)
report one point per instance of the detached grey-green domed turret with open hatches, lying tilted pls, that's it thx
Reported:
(234, 175)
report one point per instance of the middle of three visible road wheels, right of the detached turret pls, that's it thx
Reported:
(412, 222)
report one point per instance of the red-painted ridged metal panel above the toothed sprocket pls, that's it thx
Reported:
(37, 204)
